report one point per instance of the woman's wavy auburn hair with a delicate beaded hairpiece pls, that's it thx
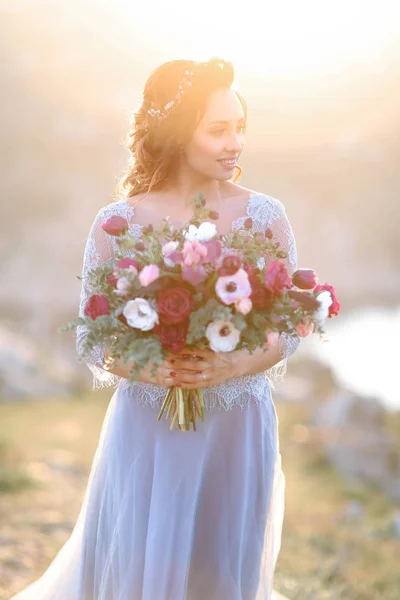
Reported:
(174, 101)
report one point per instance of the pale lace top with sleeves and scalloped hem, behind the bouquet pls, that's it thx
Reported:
(265, 211)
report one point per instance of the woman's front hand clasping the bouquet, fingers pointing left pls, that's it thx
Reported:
(211, 368)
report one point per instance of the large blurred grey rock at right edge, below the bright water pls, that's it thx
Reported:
(351, 429)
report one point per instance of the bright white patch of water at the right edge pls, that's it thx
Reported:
(363, 348)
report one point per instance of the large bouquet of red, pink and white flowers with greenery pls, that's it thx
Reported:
(171, 289)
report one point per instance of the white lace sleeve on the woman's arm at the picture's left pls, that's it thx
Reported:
(98, 249)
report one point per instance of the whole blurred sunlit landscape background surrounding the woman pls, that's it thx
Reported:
(322, 83)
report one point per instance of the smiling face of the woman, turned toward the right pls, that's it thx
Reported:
(218, 140)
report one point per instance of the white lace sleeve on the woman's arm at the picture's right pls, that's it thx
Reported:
(279, 224)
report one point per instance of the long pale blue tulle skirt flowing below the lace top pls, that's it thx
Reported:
(172, 515)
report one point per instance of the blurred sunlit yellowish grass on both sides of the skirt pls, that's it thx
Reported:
(46, 450)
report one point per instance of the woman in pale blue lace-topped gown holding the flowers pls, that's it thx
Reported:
(168, 516)
